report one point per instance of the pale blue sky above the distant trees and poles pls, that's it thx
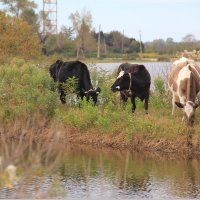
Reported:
(154, 19)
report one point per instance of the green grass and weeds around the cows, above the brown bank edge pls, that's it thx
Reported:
(25, 89)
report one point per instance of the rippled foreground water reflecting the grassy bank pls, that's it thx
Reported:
(79, 172)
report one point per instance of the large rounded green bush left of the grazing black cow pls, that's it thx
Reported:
(24, 89)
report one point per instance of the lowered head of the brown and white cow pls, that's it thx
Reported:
(188, 111)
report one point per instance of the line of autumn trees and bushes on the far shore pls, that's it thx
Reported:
(21, 35)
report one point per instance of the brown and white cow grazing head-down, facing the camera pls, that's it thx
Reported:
(184, 83)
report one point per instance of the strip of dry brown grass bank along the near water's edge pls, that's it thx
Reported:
(35, 130)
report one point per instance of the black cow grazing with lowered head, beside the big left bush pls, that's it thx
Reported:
(60, 71)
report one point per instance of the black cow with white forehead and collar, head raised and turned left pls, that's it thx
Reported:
(135, 84)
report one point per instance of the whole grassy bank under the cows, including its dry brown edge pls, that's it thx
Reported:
(31, 110)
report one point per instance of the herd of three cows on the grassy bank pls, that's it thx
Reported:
(134, 80)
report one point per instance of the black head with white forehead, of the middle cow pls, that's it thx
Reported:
(122, 82)
